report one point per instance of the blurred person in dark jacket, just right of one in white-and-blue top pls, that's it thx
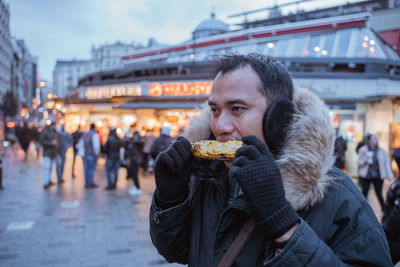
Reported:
(112, 152)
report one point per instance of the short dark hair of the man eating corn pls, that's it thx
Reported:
(275, 78)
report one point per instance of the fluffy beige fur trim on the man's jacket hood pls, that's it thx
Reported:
(307, 154)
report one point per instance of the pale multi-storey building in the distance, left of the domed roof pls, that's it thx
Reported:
(106, 57)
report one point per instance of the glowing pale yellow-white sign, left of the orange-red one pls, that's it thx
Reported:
(108, 92)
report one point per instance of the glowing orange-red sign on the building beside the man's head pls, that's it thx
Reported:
(180, 88)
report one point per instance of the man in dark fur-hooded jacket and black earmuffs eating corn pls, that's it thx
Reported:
(306, 212)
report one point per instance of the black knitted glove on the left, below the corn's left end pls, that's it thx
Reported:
(172, 173)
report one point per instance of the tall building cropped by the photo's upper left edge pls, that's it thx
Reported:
(5, 48)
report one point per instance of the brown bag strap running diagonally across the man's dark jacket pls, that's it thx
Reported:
(237, 245)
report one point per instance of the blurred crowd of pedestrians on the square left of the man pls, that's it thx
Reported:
(131, 150)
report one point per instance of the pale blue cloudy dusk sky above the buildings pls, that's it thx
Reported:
(54, 29)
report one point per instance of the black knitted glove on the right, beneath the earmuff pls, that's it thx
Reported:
(259, 177)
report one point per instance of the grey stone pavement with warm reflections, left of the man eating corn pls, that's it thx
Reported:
(68, 225)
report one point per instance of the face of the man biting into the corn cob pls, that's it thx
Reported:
(237, 106)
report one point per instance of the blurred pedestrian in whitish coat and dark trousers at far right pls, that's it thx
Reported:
(374, 165)
